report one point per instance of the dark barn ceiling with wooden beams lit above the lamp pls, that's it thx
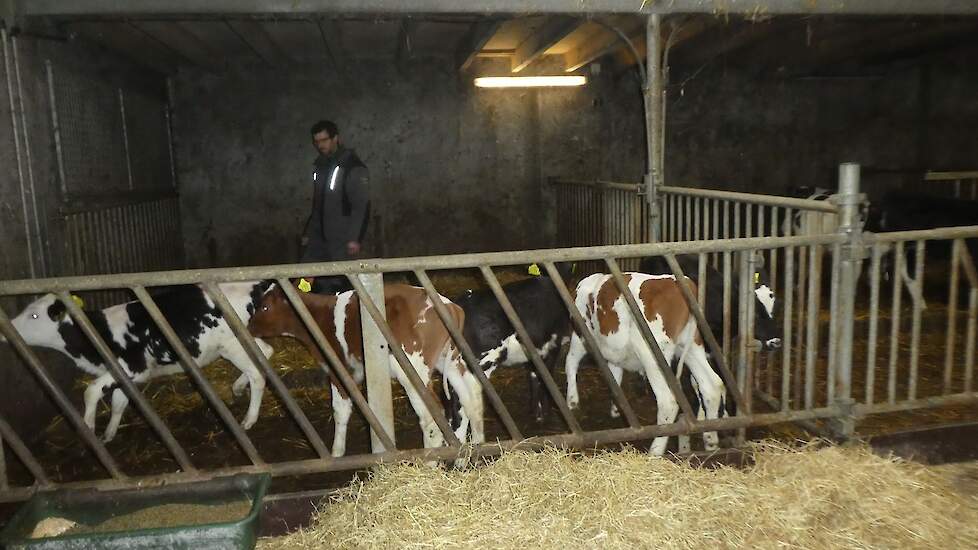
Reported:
(793, 45)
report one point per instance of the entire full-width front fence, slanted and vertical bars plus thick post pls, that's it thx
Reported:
(816, 376)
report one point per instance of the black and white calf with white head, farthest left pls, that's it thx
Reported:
(140, 347)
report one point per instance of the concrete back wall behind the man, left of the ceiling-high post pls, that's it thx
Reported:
(453, 168)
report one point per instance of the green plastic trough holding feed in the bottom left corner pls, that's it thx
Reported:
(93, 506)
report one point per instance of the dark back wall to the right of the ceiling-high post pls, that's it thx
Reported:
(729, 129)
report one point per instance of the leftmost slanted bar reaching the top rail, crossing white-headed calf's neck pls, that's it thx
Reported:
(126, 383)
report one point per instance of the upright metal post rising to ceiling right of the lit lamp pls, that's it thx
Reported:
(654, 119)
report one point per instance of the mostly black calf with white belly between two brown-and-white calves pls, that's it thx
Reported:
(494, 341)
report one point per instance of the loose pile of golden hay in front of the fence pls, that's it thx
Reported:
(810, 497)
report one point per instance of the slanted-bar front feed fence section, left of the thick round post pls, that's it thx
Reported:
(513, 434)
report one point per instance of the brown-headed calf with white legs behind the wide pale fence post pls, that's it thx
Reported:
(415, 325)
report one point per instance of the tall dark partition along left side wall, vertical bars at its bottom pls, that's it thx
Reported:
(119, 207)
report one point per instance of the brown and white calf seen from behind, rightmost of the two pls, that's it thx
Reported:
(621, 343)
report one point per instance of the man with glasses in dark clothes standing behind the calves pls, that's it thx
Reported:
(341, 203)
